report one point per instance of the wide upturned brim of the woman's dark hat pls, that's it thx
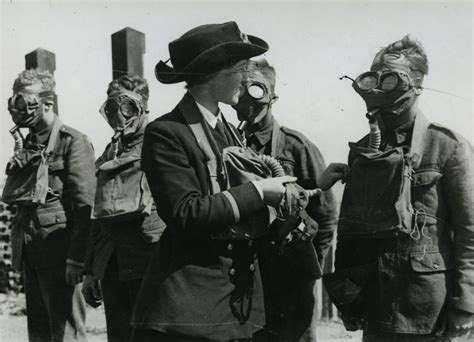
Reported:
(212, 60)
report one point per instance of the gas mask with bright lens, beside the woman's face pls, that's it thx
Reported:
(256, 99)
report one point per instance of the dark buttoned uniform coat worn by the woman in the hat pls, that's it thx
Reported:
(196, 286)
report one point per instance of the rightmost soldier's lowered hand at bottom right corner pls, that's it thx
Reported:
(455, 323)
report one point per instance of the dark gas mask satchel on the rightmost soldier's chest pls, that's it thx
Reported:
(377, 197)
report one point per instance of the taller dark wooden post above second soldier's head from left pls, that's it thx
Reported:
(128, 48)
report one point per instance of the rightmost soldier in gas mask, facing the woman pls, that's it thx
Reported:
(410, 258)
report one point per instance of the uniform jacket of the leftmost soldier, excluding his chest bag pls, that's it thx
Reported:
(57, 231)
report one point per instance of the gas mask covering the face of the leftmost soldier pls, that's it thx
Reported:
(26, 107)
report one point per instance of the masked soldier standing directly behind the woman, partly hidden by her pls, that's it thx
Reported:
(289, 296)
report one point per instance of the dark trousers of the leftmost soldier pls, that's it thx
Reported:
(55, 311)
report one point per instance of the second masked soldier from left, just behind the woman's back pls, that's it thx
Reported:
(127, 225)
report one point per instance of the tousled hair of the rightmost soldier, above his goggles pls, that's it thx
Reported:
(413, 51)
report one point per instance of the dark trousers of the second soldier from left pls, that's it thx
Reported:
(119, 299)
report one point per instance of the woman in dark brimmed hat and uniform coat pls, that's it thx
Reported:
(202, 283)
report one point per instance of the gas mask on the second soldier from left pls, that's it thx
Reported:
(122, 111)
